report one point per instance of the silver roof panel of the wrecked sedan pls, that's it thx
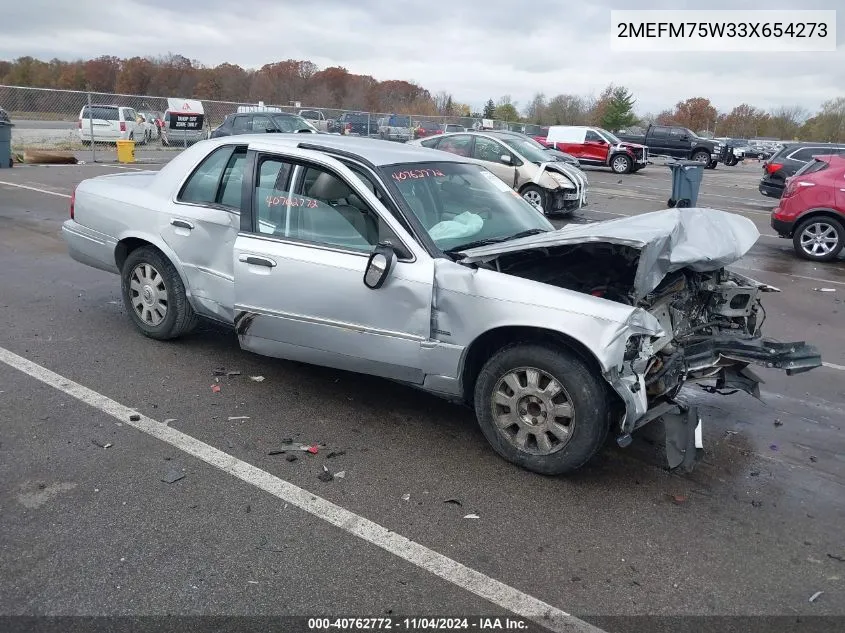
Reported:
(376, 151)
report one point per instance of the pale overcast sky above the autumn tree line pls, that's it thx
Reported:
(475, 49)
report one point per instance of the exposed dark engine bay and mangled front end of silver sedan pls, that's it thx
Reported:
(713, 320)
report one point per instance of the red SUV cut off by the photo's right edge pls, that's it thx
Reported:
(812, 209)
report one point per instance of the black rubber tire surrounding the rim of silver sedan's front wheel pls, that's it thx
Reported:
(584, 389)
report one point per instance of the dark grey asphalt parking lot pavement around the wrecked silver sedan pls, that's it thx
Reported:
(755, 530)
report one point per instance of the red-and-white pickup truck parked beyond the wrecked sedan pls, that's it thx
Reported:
(597, 146)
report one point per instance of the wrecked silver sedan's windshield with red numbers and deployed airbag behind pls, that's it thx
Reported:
(459, 203)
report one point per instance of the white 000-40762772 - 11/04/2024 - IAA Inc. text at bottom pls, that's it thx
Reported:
(418, 624)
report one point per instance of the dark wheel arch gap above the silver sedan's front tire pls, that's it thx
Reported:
(485, 345)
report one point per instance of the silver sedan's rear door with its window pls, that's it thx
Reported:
(201, 224)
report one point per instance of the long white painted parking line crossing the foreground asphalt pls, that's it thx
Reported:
(433, 562)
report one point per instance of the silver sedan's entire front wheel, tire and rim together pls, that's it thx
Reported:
(541, 407)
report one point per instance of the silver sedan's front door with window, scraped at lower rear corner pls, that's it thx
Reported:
(299, 271)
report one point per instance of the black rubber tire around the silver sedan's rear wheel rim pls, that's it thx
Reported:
(179, 317)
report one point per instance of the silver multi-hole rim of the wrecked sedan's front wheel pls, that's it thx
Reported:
(533, 411)
